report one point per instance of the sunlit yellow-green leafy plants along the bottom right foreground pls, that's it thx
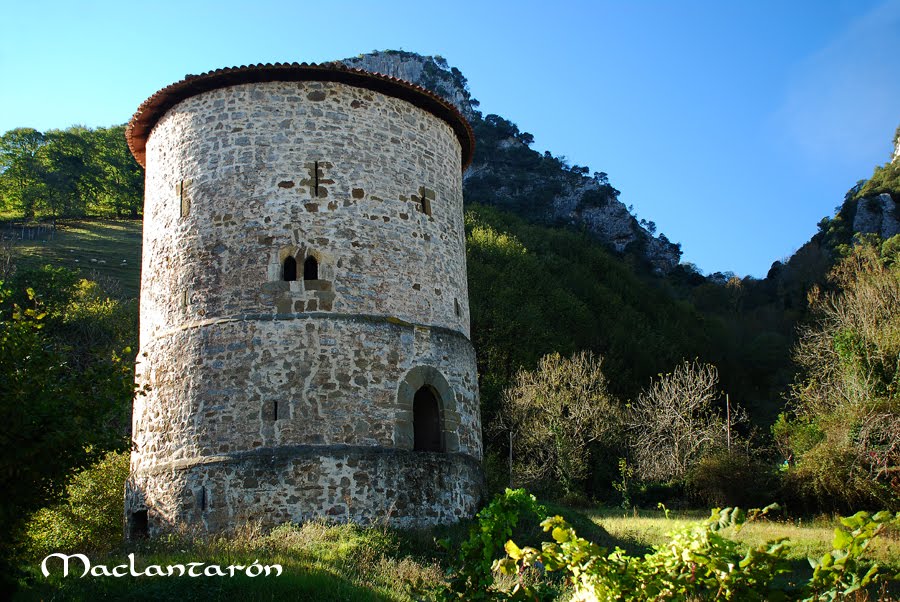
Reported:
(698, 562)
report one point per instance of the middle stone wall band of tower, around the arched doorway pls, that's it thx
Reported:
(306, 380)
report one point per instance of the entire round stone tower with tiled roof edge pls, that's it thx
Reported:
(304, 336)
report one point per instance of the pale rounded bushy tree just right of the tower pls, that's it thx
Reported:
(558, 414)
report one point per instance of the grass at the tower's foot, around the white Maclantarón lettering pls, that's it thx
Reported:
(320, 562)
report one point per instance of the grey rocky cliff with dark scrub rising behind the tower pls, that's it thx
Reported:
(507, 173)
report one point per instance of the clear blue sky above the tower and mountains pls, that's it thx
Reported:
(734, 126)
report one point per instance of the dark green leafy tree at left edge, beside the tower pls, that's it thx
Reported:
(67, 381)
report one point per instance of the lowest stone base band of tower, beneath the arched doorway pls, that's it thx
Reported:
(294, 484)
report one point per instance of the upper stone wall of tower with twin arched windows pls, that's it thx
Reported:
(244, 158)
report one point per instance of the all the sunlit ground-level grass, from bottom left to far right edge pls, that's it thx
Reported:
(347, 562)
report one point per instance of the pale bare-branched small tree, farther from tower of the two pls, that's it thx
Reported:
(674, 424)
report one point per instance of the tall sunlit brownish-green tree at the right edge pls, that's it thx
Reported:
(844, 436)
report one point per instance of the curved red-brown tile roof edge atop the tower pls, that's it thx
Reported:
(152, 109)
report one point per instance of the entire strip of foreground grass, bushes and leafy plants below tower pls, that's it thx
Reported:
(658, 557)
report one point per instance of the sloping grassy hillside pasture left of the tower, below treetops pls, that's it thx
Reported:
(108, 250)
